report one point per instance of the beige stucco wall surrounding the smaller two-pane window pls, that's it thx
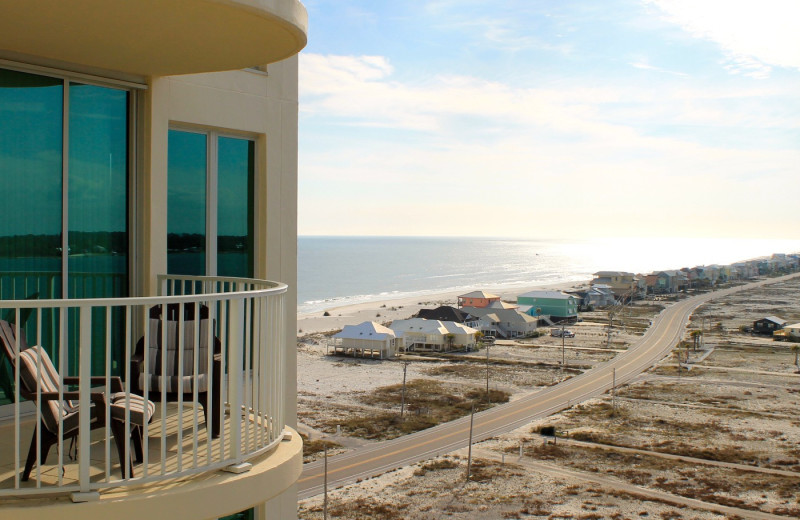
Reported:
(252, 104)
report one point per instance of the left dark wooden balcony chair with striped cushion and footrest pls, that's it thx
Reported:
(38, 373)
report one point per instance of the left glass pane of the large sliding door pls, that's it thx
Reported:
(31, 141)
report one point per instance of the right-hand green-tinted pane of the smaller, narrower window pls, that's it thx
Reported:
(235, 170)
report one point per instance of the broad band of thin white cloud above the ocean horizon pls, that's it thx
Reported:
(524, 152)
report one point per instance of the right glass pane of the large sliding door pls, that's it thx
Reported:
(98, 216)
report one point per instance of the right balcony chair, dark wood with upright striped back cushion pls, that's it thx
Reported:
(167, 378)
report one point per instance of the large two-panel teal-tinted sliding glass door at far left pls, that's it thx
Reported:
(64, 154)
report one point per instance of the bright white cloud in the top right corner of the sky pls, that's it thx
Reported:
(753, 35)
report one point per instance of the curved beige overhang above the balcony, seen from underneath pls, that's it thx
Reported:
(156, 37)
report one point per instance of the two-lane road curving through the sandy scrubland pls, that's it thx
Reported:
(368, 461)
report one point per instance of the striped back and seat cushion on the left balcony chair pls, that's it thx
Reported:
(37, 370)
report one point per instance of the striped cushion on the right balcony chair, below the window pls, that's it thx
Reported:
(164, 377)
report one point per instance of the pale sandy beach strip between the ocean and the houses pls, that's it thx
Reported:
(391, 309)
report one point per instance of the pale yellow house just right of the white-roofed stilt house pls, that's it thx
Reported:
(432, 335)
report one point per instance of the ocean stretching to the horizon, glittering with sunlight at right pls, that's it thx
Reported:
(335, 271)
